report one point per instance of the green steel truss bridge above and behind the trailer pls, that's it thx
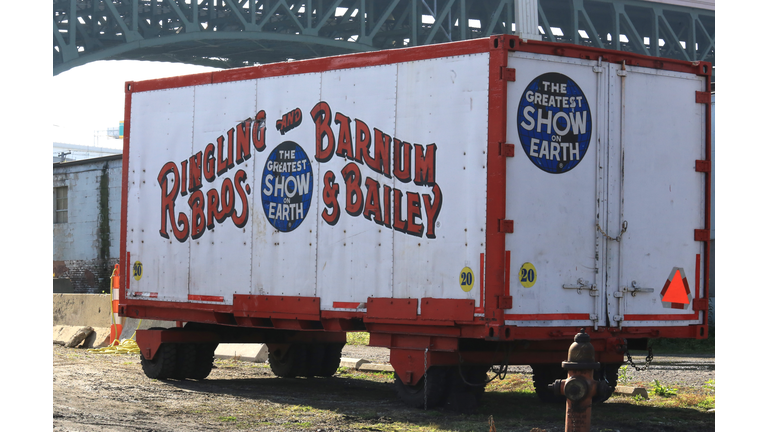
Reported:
(237, 33)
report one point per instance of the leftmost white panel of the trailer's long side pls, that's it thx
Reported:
(161, 132)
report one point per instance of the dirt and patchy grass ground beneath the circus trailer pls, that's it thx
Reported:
(99, 392)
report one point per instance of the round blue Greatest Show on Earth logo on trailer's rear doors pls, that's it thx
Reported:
(554, 123)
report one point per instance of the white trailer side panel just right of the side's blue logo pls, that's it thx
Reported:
(355, 253)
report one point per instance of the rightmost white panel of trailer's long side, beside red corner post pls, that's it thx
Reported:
(444, 103)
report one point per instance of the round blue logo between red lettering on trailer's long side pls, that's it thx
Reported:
(286, 186)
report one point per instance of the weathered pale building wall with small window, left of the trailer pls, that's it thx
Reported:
(86, 247)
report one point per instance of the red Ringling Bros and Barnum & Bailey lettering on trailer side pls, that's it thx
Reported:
(405, 211)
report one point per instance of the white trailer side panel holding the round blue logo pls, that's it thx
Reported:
(284, 217)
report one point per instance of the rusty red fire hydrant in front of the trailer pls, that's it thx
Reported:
(580, 387)
